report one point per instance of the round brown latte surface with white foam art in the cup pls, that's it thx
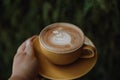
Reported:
(61, 38)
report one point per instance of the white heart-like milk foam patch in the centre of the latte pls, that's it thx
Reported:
(60, 38)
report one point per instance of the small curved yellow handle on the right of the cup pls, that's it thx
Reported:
(87, 51)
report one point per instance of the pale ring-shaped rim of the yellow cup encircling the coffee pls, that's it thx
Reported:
(62, 23)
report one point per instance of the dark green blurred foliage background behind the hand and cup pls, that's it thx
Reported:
(99, 19)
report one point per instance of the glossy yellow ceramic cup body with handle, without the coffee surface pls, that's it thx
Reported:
(84, 51)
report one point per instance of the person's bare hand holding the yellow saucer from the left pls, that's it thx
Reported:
(25, 64)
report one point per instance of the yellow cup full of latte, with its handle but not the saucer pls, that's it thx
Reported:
(62, 44)
